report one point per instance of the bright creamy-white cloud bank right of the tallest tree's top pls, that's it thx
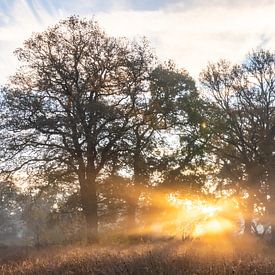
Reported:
(195, 36)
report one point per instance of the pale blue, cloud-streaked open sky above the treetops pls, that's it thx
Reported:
(190, 32)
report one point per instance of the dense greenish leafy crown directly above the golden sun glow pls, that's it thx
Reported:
(181, 114)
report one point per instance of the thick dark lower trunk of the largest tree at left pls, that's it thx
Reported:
(89, 205)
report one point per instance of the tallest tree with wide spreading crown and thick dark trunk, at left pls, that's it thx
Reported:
(71, 102)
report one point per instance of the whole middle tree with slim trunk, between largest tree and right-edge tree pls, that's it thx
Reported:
(173, 110)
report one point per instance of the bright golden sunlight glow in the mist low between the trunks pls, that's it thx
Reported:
(194, 216)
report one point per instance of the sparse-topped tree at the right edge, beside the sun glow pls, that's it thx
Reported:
(243, 106)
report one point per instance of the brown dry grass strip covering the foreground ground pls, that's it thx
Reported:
(164, 258)
